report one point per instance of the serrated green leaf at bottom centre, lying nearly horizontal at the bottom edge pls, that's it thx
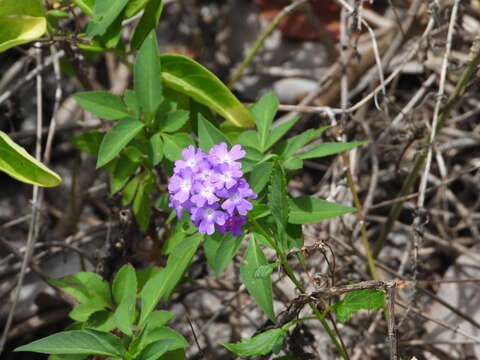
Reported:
(260, 344)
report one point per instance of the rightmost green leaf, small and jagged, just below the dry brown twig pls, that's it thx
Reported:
(356, 300)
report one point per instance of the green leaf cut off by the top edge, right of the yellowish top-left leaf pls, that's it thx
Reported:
(106, 11)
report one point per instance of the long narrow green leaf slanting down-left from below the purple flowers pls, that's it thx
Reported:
(162, 285)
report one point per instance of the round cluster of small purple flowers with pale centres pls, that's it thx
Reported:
(212, 188)
